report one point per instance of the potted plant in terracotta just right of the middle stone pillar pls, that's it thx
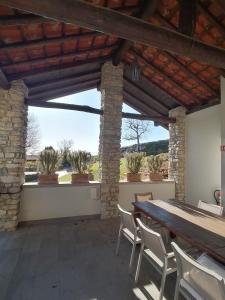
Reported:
(134, 164)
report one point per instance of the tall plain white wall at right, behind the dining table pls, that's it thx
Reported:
(203, 157)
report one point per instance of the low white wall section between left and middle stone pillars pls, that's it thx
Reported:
(59, 201)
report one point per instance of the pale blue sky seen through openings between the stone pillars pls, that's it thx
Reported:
(83, 128)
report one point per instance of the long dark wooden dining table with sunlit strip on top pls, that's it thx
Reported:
(201, 229)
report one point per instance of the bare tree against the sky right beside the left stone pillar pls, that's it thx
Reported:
(33, 135)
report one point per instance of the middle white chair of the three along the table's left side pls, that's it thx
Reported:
(153, 248)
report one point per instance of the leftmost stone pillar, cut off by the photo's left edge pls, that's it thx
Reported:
(13, 119)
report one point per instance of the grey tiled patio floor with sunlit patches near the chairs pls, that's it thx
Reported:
(73, 261)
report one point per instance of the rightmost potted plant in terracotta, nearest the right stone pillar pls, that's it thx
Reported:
(154, 165)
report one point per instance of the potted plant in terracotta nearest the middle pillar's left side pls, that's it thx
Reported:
(79, 161)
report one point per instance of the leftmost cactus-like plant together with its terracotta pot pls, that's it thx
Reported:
(48, 160)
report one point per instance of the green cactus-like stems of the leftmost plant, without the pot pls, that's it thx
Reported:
(49, 159)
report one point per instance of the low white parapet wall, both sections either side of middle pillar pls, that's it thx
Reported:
(40, 202)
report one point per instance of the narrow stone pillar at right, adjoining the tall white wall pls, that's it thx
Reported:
(177, 151)
